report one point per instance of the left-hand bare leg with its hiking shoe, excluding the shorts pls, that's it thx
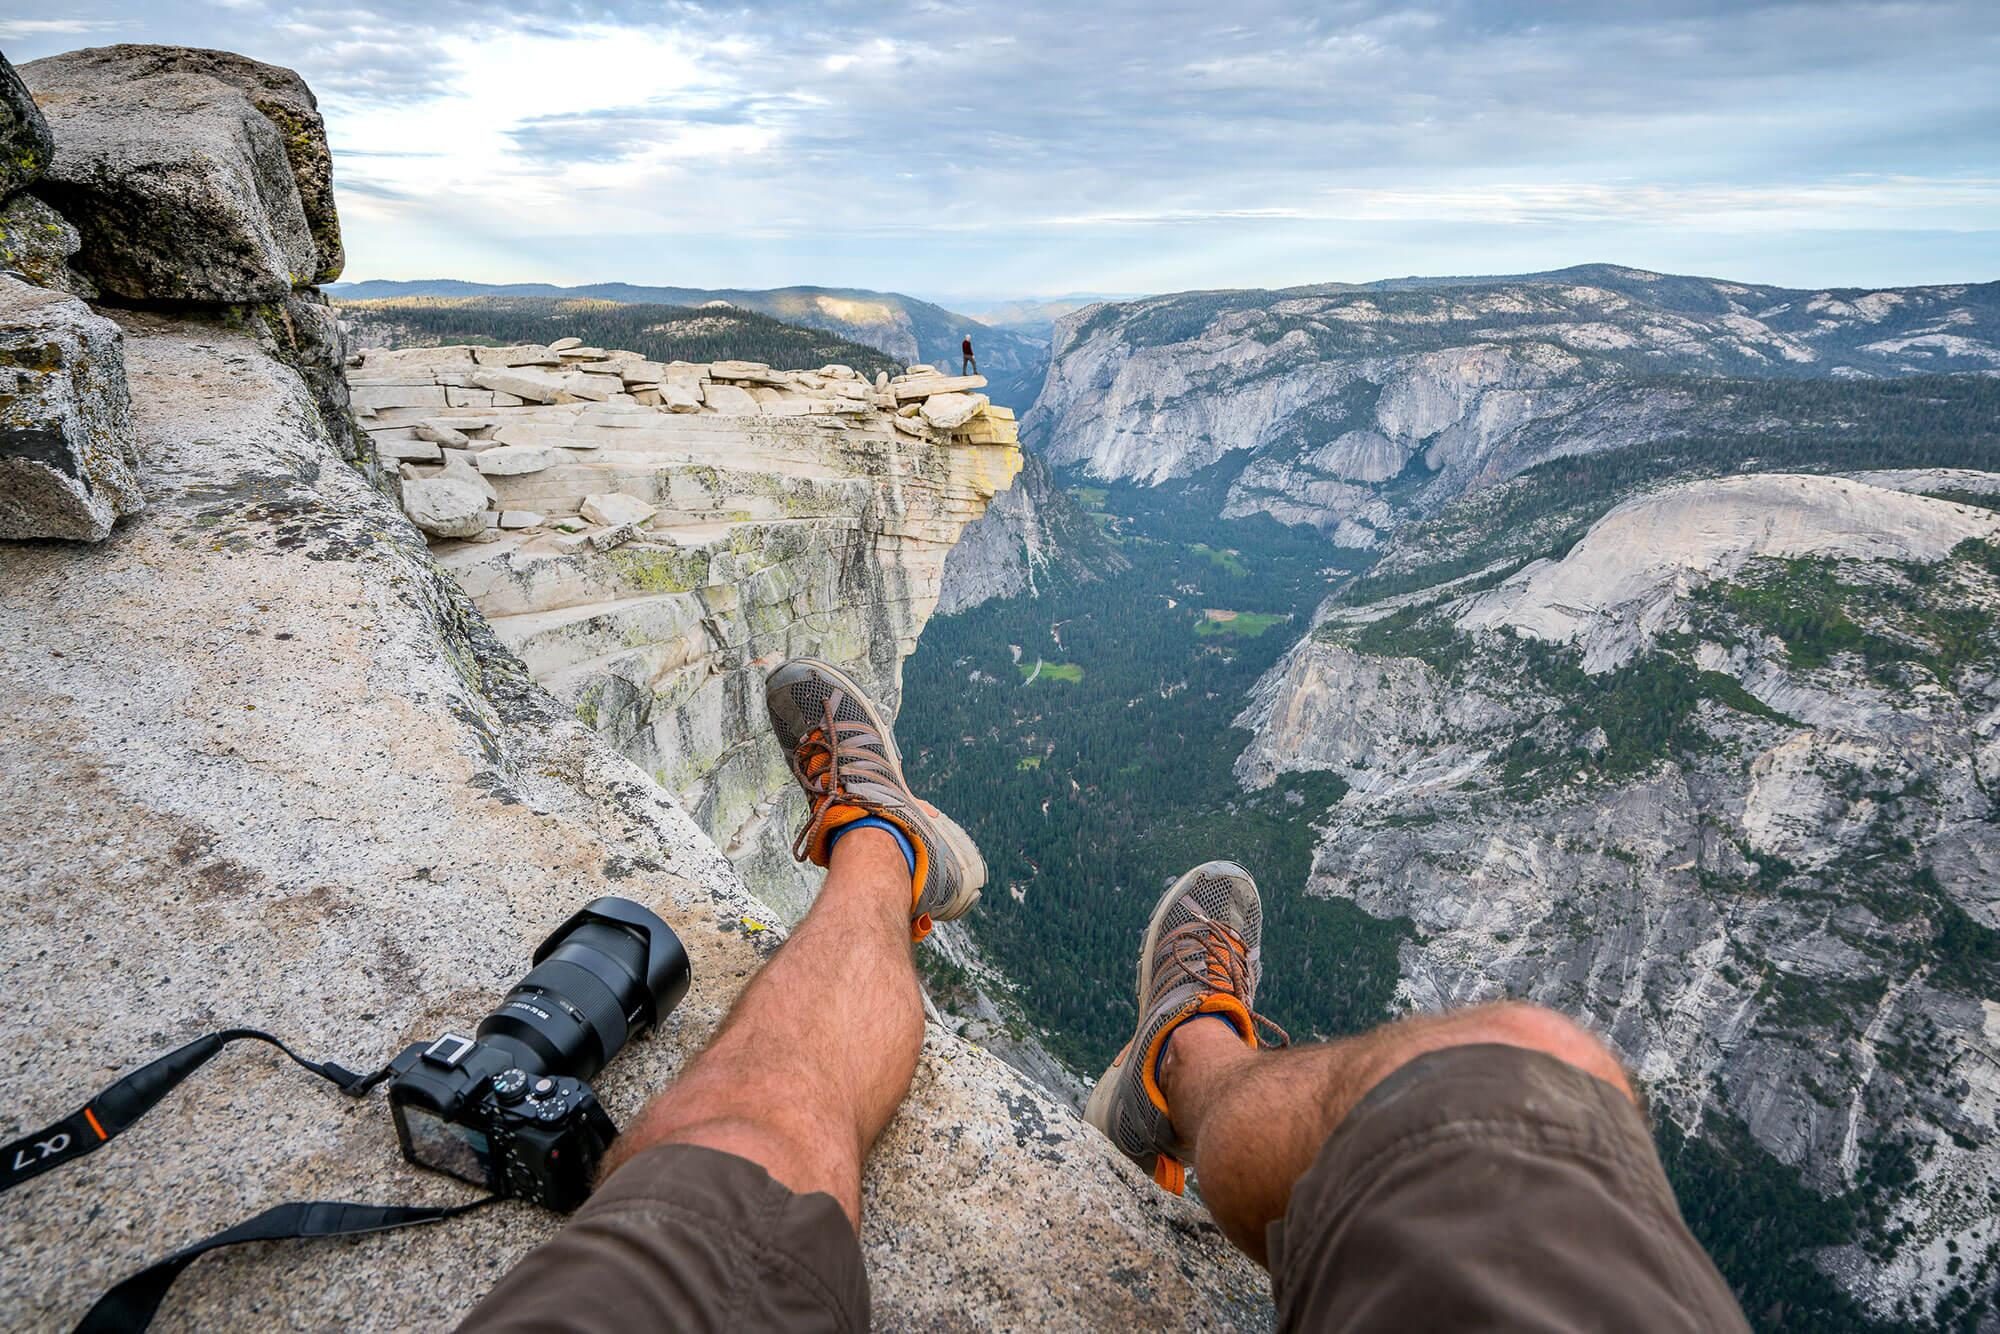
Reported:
(819, 1051)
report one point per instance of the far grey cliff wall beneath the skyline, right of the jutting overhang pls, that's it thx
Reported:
(1357, 407)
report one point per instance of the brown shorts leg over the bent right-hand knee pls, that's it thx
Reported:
(1493, 1189)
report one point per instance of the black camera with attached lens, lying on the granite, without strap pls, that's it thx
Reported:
(511, 1109)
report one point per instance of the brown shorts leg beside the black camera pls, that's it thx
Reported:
(689, 1239)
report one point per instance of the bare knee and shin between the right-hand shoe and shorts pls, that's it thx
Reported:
(1257, 1119)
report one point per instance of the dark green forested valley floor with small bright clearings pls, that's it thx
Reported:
(1085, 741)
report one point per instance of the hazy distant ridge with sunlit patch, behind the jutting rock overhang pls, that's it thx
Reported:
(903, 327)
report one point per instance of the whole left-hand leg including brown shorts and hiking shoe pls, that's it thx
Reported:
(801, 1077)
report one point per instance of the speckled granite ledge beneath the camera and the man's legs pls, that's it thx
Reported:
(267, 765)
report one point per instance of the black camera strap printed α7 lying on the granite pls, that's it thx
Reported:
(133, 1303)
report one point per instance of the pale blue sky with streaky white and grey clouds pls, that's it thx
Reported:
(1035, 149)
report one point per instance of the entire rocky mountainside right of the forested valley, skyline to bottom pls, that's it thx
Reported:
(1705, 763)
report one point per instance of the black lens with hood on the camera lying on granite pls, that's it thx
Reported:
(607, 975)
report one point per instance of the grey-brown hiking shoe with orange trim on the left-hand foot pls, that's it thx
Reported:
(845, 757)
